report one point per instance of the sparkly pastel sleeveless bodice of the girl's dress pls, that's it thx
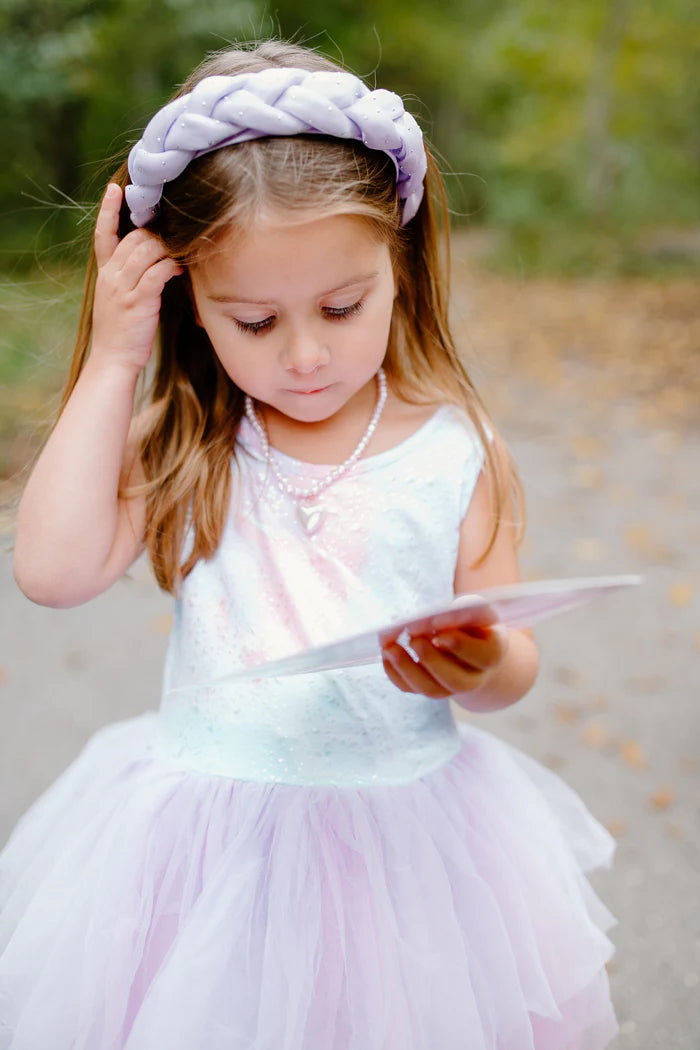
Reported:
(388, 547)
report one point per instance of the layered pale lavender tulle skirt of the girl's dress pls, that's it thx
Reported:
(150, 908)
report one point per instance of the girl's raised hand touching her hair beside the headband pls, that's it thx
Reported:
(132, 276)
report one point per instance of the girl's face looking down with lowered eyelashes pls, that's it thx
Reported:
(299, 316)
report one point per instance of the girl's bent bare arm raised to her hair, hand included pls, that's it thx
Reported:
(75, 537)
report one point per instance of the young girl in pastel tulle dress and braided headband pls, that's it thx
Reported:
(323, 863)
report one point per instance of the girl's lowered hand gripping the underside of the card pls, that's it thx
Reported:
(450, 663)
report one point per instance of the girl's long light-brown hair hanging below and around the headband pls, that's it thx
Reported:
(185, 435)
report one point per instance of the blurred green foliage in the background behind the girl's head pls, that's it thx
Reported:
(574, 131)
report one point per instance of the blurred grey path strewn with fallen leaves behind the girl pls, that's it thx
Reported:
(596, 387)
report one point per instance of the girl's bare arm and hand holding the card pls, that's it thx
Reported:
(485, 668)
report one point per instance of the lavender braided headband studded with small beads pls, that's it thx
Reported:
(226, 111)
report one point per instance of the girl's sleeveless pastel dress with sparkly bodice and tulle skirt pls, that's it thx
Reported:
(313, 864)
